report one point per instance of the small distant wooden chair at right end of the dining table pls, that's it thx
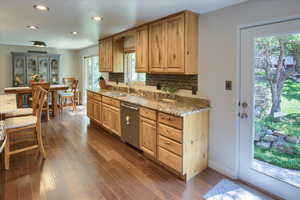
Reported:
(65, 96)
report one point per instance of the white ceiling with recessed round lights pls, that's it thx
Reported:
(65, 16)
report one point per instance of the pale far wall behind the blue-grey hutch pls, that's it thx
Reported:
(68, 62)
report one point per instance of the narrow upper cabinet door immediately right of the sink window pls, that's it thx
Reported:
(142, 49)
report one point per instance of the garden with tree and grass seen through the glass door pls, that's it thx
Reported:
(281, 112)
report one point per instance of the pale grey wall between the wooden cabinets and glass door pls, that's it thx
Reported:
(218, 62)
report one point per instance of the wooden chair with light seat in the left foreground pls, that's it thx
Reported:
(21, 124)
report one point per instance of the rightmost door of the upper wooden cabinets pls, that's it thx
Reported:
(175, 43)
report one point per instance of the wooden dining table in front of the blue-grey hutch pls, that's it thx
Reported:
(20, 91)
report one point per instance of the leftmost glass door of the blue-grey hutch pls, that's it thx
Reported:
(19, 70)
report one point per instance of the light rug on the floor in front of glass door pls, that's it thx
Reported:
(228, 190)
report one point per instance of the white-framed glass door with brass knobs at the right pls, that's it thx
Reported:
(269, 145)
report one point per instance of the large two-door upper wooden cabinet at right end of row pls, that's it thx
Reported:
(173, 44)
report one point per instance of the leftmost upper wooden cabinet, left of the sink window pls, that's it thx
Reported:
(106, 55)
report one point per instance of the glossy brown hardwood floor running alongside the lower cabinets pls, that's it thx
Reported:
(87, 163)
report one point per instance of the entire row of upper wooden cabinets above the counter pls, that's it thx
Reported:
(167, 45)
